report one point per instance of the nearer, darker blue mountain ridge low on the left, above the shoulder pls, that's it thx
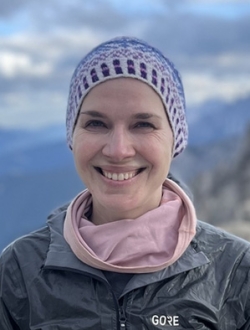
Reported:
(27, 199)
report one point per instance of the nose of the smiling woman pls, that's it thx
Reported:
(119, 145)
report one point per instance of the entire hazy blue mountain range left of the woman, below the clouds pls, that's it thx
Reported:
(36, 176)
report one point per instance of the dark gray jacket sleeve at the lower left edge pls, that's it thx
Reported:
(13, 300)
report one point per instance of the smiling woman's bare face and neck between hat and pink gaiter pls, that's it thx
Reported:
(122, 146)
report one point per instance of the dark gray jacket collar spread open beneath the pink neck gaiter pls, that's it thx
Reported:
(60, 256)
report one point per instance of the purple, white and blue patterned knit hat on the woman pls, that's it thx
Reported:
(130, 57)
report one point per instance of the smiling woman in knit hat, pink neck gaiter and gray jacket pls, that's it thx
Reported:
(128, 252)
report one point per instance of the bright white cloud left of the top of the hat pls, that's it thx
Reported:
(33, 55)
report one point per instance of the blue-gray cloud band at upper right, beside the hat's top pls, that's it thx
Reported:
(193, 35)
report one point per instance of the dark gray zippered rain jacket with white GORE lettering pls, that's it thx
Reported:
(43, 286)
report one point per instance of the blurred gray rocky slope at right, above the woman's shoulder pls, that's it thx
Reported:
(222, 196)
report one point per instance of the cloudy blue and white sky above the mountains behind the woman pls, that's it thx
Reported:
(41, 43)
